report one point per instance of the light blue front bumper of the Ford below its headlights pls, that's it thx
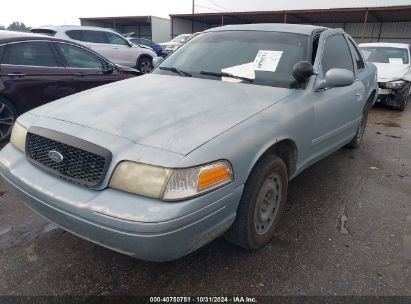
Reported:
(145, 228)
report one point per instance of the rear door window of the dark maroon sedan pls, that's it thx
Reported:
(30, 53)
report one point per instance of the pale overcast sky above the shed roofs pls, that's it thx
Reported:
(58, 12)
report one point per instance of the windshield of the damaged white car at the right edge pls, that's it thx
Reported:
(385, 55)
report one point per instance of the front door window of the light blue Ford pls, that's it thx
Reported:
(336, 54)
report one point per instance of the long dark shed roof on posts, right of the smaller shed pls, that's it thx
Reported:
(334, 15)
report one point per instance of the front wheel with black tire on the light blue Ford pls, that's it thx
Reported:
(261, 204)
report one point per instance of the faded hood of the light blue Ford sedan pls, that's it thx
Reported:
(172, 113)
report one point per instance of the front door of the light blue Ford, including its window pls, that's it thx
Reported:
(338, 110)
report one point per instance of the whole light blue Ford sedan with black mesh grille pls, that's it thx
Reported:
(157, 166)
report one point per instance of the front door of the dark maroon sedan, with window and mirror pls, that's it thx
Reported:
(86, 69)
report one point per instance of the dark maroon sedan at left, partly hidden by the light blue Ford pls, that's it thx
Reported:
(36, 69)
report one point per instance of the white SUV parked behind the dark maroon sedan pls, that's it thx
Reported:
(106, 42)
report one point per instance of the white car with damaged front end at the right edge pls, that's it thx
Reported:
(393, 61)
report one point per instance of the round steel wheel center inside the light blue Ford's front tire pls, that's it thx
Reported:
(268, 201)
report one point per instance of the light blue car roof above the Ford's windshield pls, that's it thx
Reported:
(271, 27)
